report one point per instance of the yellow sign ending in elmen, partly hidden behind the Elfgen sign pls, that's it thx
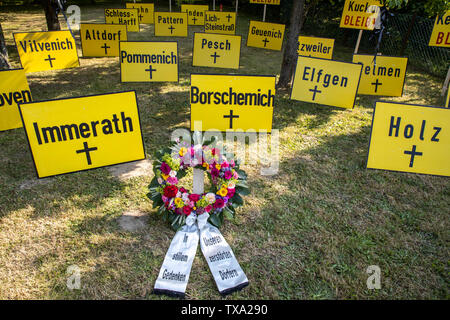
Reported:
(383, 77)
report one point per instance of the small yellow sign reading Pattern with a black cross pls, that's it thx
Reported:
(171, 24)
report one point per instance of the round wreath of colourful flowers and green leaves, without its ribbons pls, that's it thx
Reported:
(175, 203)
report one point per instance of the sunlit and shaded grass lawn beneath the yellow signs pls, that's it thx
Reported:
(309, 232)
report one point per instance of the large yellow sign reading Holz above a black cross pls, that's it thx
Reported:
(410, 138)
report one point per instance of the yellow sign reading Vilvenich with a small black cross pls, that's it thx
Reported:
(51, 50)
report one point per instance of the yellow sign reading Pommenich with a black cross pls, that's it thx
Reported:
(148, 61)
